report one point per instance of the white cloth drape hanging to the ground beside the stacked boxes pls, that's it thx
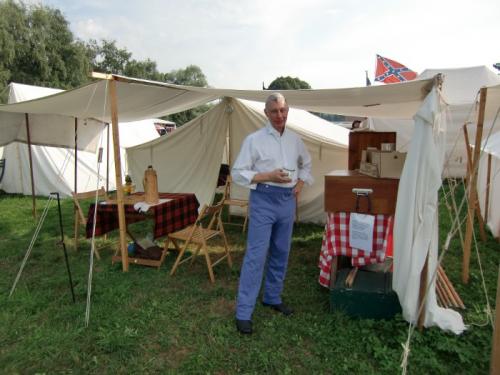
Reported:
(416, 218)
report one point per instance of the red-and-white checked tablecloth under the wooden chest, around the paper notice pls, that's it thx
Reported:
(336, 242)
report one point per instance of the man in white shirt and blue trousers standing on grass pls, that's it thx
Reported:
(274, 163)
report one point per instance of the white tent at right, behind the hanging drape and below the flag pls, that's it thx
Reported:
(460, 91)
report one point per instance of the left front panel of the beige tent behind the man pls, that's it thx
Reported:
(187, 160)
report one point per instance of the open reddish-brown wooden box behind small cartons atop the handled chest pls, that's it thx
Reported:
(359, 141)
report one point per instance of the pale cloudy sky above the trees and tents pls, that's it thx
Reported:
(242, 44)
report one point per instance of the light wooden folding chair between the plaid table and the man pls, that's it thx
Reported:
(198, 235)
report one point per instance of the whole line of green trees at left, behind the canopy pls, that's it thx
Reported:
(37, 47)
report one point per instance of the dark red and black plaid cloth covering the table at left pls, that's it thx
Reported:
(177, 213)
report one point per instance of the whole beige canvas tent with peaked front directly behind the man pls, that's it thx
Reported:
(193, 154)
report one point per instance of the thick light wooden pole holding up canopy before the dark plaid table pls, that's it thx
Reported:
(118, 173)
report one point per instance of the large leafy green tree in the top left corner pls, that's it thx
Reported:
(38, 48)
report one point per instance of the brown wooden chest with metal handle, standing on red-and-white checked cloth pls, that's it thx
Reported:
(340, 198)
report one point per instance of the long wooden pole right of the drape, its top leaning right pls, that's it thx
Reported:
(472, 193)
